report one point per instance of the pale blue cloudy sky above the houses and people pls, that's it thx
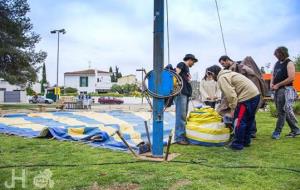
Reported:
(119, 32)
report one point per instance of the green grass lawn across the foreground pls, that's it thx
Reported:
(215, 170)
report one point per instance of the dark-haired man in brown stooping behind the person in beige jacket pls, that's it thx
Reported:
(249, 69)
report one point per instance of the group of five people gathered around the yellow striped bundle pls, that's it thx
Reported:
(240, 90)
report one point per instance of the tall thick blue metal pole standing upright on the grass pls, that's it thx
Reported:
(158, 64)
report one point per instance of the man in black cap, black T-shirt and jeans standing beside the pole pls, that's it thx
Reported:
(182, 100)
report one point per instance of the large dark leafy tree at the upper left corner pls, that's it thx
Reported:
(19, 62)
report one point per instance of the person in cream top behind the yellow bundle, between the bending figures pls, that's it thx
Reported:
(209, 90)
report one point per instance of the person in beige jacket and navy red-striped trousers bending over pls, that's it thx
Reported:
(243, 99)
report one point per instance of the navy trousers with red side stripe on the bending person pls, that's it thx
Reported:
(244, 118)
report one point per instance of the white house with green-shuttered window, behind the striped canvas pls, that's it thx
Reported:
(90, 80)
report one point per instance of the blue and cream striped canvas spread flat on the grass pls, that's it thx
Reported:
(82, 126)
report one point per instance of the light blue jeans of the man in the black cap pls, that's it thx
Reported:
(182, 102)
